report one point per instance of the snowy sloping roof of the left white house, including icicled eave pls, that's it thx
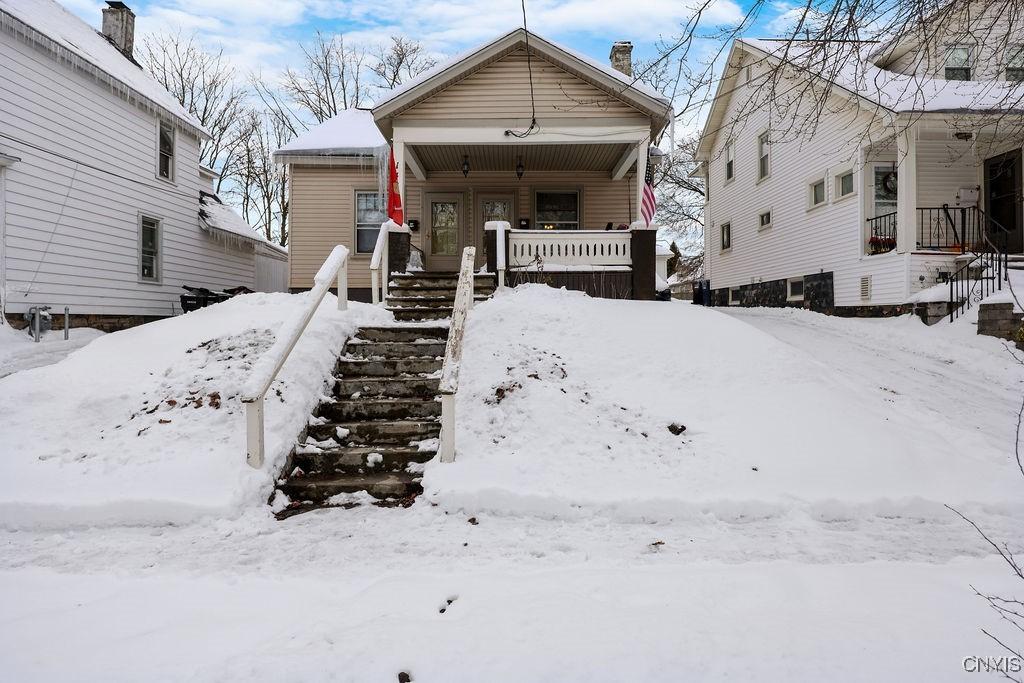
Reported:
(70, 40)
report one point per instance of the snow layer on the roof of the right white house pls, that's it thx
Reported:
(851, 68)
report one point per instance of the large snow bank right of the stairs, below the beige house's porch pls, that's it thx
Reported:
(569, 406)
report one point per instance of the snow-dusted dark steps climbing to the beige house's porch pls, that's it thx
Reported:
(383, 420)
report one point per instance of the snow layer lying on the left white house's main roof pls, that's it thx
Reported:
(84, 44)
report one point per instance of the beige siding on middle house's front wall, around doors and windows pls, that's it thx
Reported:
(323, 214)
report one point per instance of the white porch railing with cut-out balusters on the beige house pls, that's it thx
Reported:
(573, 249)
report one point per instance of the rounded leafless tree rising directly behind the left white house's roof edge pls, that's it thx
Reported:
(207, 87)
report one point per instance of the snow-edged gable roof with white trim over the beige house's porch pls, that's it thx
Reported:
(604, 77)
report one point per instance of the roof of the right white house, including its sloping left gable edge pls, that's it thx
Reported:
(852, 72)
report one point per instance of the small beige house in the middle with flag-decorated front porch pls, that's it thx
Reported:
(519, 131)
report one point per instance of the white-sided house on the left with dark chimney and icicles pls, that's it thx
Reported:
(101, 184)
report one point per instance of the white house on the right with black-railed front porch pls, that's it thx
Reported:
(909, 172)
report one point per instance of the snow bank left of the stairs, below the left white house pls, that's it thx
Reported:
(146, 425)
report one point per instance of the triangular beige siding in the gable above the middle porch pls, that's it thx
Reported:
(501, 91)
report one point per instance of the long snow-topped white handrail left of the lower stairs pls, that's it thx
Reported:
(267, 368)
